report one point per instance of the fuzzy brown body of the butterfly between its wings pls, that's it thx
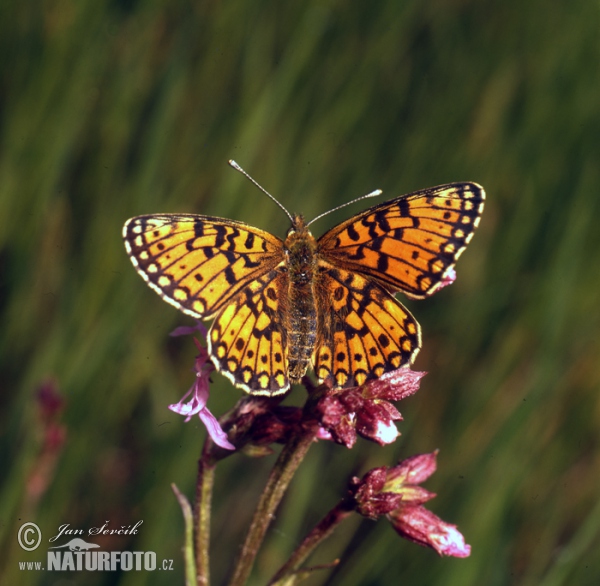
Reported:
(300, 249)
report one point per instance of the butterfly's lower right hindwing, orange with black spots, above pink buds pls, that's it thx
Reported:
(363, 330)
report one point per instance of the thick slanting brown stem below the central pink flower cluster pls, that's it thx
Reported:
(288, 461)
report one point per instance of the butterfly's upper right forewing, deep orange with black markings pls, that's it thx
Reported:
(409, 243)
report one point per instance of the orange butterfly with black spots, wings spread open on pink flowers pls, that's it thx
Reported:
(281, 306)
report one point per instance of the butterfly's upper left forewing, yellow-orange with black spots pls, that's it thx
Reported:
(199, 263)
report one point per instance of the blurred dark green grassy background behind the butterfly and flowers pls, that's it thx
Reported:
(113, 109)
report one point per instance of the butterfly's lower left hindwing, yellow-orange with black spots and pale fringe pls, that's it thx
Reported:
(248, 340)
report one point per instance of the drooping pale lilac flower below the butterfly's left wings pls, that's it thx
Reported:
(197, 404)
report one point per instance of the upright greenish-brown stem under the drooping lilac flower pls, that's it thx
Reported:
(202, 506)
